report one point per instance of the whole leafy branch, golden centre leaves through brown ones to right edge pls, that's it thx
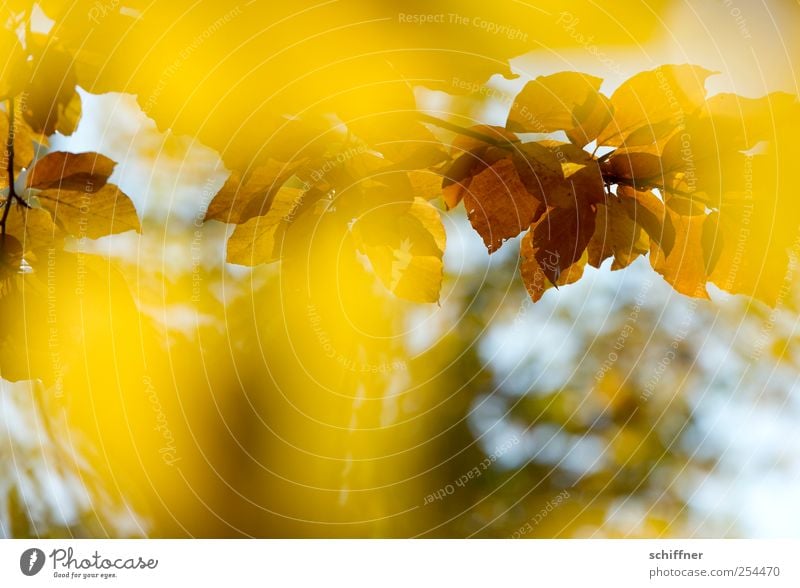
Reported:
(692, 181)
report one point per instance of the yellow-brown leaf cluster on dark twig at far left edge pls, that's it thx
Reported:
(48, 196)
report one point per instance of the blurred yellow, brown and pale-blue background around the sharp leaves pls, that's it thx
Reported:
(207, 399)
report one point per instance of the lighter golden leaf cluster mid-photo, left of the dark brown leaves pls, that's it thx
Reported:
(386, 205)
